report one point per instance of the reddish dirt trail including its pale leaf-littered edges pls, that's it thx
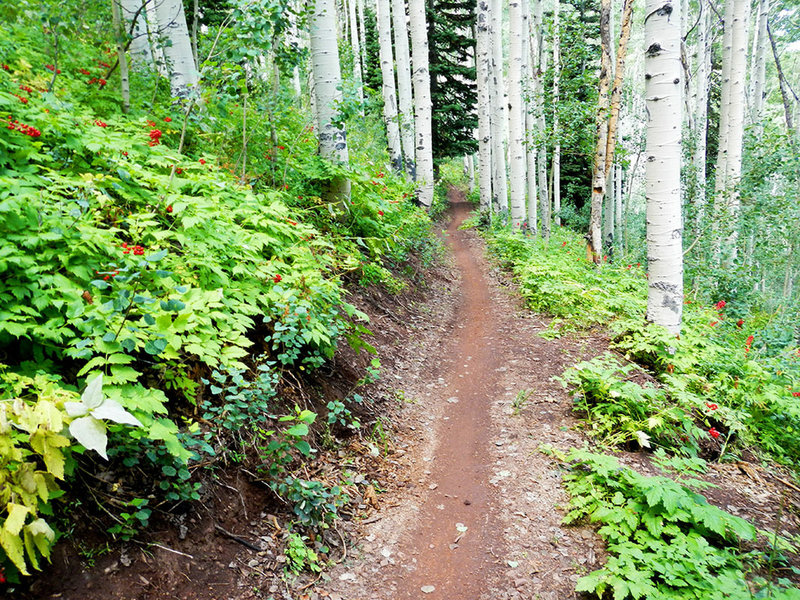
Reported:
(479, 517)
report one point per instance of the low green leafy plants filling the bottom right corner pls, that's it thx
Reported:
(665, 541)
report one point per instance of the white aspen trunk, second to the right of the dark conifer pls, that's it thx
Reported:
(499, 120)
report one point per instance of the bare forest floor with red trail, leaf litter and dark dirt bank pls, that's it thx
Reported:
(467, 507)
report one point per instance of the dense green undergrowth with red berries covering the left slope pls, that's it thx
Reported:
(192, 284)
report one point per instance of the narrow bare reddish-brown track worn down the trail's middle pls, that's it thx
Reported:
(444, 550)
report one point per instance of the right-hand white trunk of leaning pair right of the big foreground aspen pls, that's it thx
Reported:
(735, 137)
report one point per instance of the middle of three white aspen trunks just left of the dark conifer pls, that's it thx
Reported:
(404, 94)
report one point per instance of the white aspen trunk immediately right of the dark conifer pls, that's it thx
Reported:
(483, 67)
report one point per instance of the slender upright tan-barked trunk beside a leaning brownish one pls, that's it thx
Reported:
(601, 131)
